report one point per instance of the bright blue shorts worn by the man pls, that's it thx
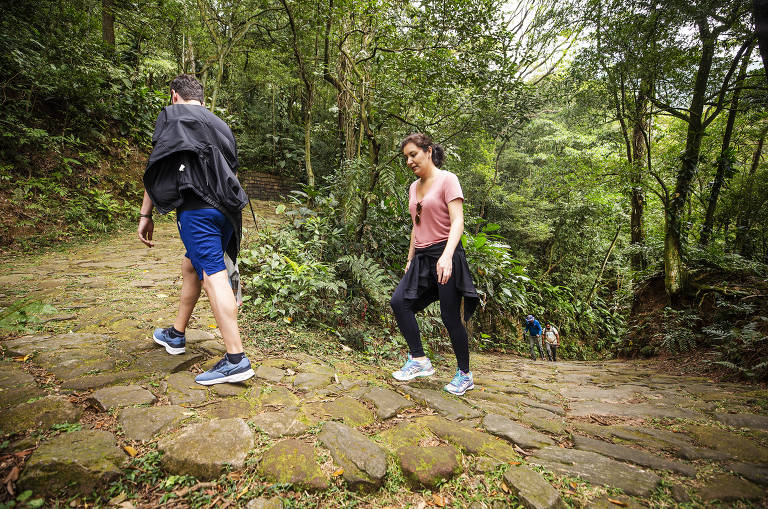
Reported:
(205, 233)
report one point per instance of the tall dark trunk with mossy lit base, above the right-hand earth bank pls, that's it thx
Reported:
(674, 269)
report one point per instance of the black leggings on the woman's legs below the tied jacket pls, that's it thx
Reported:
(450, 312)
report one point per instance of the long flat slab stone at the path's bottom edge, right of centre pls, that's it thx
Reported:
(597, 469)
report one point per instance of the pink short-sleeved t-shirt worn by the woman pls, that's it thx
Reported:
(435, 223)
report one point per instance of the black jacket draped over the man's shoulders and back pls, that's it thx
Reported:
(209, 146)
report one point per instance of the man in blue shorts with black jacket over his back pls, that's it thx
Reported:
(192, 170)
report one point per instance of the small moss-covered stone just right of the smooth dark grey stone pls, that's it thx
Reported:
(428, 466)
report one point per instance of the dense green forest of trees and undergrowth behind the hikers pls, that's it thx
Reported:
(607, 150)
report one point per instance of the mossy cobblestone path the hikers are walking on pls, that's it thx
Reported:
(90, 390)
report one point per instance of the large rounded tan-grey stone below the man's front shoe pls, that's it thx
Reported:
(205, 449)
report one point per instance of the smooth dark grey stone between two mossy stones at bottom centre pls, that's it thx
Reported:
(364, 462)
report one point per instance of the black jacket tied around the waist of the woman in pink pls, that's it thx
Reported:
(420, 282)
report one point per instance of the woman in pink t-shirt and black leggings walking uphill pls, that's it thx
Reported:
(437, 266)
